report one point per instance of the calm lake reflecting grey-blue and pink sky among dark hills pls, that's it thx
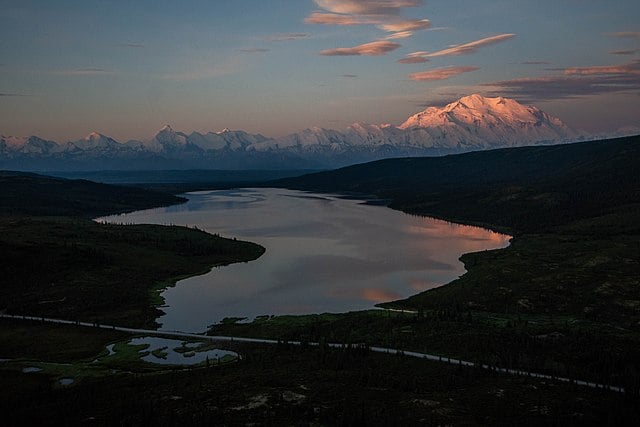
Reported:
(323, 254)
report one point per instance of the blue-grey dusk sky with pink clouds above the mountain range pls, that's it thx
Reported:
(126, 68)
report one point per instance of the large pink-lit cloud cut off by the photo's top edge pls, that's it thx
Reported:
(382, 13)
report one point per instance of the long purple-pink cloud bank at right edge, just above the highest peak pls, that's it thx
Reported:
(574, 82)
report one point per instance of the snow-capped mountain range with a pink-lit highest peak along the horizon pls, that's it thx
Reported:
(469, 124)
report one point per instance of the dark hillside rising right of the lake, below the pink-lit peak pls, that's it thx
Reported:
(522, 189)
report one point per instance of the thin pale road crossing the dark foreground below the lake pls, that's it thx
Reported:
(426, 356)
